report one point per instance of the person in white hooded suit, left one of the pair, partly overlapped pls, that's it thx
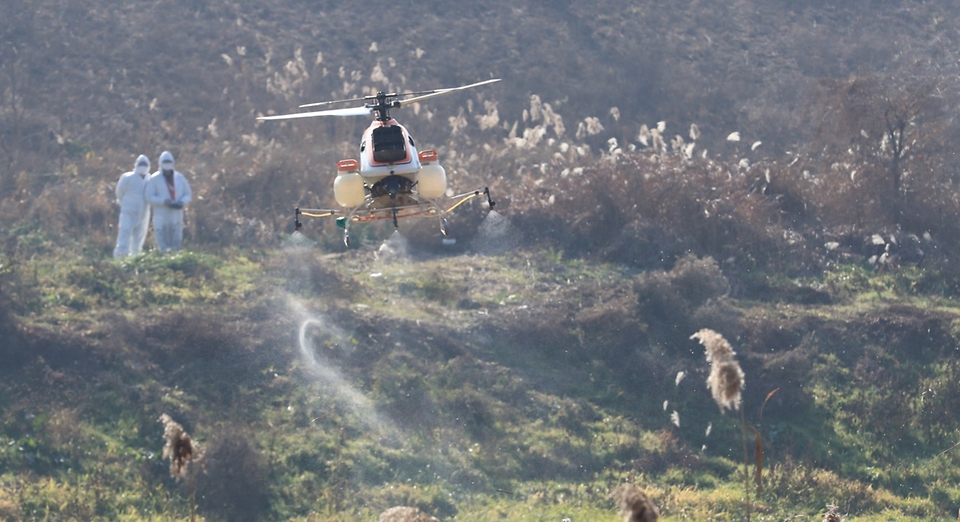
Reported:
(134, 211)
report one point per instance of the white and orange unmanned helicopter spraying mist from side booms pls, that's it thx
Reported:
(391, 180)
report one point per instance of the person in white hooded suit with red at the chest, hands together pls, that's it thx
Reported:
(168, 193)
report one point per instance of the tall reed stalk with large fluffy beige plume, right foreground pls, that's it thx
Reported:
(726, 381)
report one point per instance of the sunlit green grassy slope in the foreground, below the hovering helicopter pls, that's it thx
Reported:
(522, 386)
